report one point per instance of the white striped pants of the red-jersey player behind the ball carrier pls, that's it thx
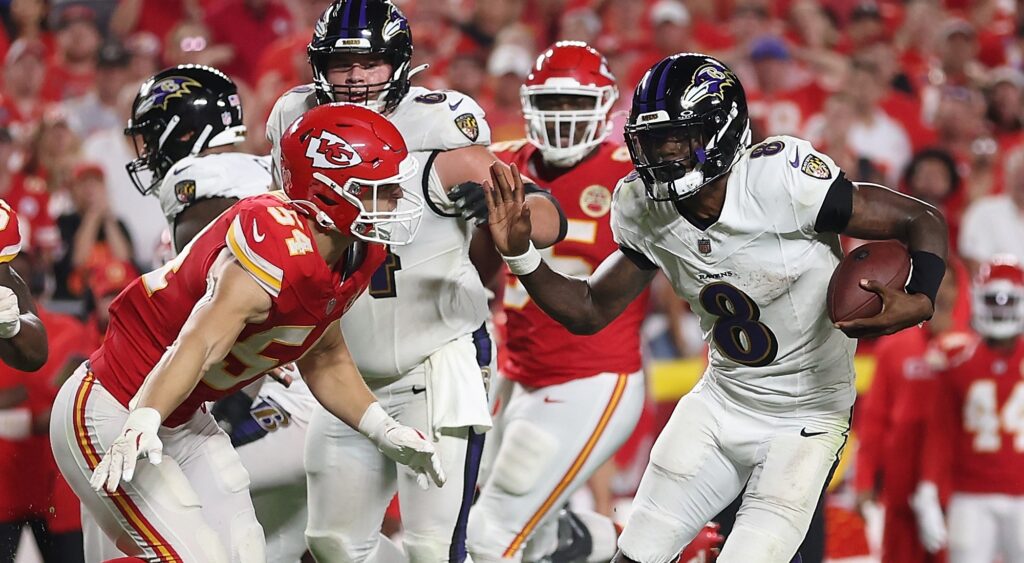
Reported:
(548, 443)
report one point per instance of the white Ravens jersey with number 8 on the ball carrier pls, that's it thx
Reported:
(757, 278)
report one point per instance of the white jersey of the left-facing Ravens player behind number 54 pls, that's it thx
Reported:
(229, 176)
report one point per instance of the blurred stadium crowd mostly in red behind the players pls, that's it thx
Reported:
(922, 96)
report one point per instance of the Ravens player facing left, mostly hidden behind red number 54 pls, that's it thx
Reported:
(186, 159)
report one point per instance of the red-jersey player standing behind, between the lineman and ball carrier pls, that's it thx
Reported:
(568, 403)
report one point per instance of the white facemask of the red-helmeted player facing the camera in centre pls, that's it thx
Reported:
(567, 137)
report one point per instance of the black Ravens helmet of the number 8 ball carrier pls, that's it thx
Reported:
(689, 125)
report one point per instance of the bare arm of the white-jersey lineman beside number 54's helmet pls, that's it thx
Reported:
(470, 167)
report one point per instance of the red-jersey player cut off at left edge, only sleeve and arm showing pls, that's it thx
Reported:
(23, 339)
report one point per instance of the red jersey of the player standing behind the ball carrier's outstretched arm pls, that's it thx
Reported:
(540, 352)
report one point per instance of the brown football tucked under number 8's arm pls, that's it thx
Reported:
(886, 263)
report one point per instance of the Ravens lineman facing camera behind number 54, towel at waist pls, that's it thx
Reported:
(418, 335)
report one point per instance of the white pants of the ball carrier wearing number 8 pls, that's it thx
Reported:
(709, 451)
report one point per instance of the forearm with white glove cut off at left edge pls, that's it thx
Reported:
(23, 338)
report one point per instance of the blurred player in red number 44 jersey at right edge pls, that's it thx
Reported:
(976, 435)
